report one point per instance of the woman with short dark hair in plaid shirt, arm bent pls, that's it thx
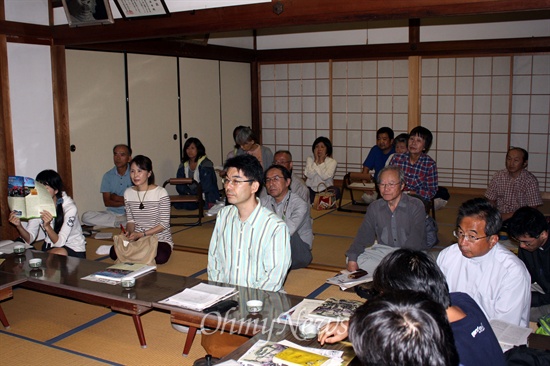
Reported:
(419, 168)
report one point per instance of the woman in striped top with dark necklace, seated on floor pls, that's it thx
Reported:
(147, 209)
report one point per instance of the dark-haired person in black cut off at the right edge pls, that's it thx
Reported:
(530, 229)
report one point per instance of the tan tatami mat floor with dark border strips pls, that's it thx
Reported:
(51, 330)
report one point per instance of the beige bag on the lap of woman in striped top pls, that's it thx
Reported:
(143, 250)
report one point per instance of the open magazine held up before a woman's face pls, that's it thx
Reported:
(28, 198)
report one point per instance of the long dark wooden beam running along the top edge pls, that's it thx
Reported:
(295, 12)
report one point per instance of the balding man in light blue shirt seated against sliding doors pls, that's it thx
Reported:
(113, 185)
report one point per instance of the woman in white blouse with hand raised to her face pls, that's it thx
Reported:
(321, 168)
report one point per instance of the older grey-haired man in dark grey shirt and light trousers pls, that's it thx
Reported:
(394, 221)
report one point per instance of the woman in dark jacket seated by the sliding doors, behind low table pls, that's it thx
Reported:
(196, 165)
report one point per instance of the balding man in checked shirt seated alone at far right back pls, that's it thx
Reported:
(514, 187)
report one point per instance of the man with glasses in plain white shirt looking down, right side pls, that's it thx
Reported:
(479, 266)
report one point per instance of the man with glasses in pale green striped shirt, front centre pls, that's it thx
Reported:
(250, 246)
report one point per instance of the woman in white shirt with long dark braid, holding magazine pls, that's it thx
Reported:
(63, 231)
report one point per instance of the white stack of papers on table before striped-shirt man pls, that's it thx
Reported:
(200, 297)
